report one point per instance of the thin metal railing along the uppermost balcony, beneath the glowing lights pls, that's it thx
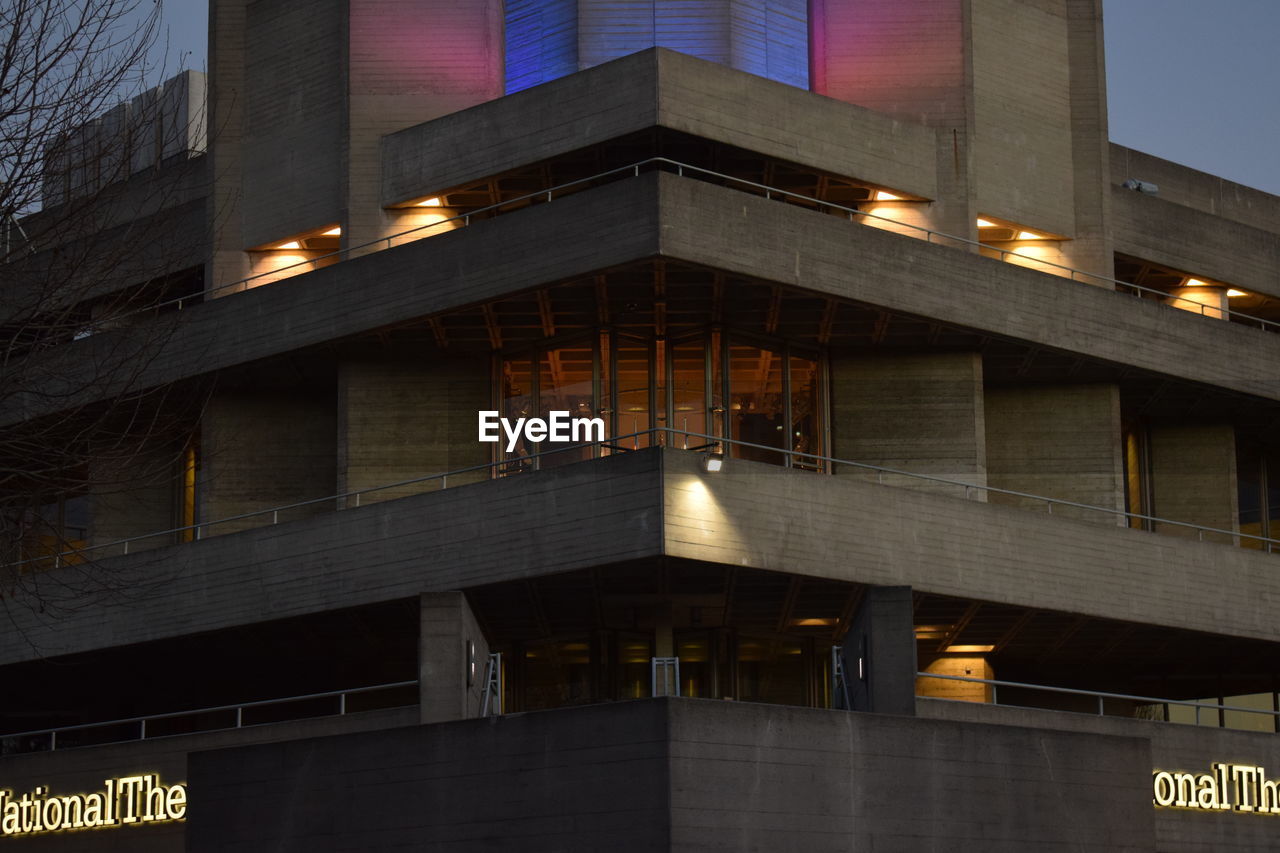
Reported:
(685, 170)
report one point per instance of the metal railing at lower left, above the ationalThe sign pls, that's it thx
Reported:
(136, 728)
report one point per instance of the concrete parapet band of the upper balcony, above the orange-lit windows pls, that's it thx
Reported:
(703, 225)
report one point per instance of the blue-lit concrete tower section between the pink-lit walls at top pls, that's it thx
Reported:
(550, 39)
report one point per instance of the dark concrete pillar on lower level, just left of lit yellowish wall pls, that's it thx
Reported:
(880, 654)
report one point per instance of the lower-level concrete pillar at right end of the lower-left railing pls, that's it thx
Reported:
(452, 656)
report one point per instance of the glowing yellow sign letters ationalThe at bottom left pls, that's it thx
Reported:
(126, 800)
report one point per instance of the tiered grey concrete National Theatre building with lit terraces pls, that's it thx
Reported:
(938, 504)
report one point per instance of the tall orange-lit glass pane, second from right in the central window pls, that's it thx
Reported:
(757, 404)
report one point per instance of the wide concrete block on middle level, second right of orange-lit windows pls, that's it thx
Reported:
(1058, 441)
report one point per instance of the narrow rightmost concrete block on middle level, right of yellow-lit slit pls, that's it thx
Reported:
(1194, 480)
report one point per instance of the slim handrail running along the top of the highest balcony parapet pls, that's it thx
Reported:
(682, 170)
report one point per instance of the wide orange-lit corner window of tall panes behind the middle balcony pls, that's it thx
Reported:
(703, 387)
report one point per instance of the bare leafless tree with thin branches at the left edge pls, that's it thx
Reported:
(100, 212)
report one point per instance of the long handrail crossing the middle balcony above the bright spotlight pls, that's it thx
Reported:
(612, 444)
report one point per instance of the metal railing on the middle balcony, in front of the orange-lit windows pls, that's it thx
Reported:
(664, 436)
